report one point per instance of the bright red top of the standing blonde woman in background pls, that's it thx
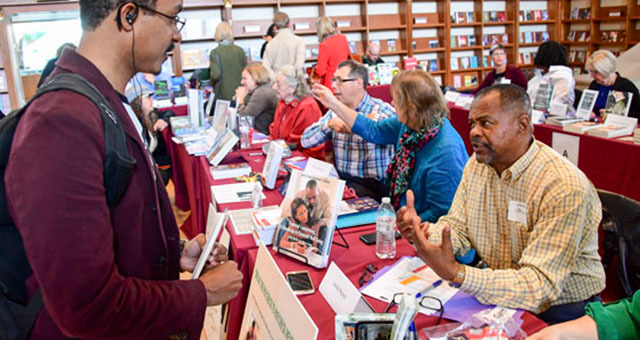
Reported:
(331, 52)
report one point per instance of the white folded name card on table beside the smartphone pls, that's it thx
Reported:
(340, 293)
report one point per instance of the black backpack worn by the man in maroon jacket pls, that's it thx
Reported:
(17, 312)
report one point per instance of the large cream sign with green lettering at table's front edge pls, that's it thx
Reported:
(272, 310)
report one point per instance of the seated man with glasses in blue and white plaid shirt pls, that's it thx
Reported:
(360, 163)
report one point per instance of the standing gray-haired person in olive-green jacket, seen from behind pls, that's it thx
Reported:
(226, 63)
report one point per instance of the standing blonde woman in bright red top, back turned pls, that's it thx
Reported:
(333, 50)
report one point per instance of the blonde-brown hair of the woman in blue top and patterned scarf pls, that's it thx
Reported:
(417, 90)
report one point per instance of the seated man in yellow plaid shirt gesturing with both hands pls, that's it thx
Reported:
(531, 215)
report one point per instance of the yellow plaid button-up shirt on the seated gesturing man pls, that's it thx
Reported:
(551, 259)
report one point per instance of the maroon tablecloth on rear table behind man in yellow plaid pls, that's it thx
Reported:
(609, 163)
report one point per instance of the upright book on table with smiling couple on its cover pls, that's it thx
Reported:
(305, 231)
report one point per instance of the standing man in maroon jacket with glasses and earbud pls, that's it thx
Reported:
(111, 275)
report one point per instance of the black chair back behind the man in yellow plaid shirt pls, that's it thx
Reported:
(621, 225)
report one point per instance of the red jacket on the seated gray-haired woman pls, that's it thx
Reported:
(290, 121)
